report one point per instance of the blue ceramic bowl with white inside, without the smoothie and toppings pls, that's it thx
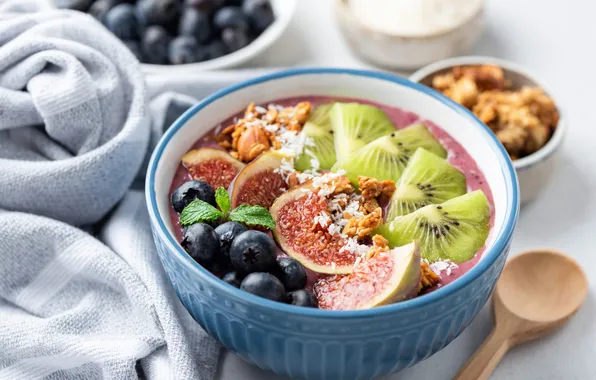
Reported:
(321, 344)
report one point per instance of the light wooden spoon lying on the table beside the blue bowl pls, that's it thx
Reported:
(538, 292)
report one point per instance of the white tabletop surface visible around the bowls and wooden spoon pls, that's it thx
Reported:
(557, 41)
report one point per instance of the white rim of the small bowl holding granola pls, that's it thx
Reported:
(555, 140)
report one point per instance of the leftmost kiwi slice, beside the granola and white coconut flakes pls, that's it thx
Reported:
(318, 128)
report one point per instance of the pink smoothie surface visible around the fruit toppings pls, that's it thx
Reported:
(457, 156)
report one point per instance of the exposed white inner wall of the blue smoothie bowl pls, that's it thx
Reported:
(477, 141)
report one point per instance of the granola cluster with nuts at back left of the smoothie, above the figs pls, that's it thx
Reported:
(260, 128)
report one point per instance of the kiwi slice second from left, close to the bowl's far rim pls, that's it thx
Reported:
(355, 125)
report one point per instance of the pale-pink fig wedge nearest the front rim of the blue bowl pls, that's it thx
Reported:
(388, 276)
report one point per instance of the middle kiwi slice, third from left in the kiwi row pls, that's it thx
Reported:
(387, 156)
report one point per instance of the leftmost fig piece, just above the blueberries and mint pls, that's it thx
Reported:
(213, 166)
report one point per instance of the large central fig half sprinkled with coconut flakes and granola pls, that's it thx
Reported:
(311, 222)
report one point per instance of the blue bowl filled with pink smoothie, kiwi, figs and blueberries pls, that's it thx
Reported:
(365, 222)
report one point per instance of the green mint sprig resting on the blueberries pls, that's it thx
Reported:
(199, 211)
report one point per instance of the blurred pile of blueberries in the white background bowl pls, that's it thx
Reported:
(164, 32)
